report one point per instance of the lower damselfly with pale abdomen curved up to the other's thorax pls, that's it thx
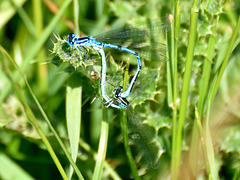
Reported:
(142, 137)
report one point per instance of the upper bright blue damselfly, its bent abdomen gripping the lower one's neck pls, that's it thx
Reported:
(141, 40)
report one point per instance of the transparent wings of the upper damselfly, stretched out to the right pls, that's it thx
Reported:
(146, 38)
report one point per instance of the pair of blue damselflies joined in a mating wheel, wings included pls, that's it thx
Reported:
(144, 41)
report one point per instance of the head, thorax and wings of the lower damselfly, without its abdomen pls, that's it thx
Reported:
(142, 137)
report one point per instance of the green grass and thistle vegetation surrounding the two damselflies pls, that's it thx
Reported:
(50, 128)
